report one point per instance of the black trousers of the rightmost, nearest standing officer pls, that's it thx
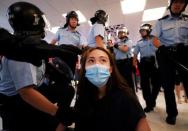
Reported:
(171, 60)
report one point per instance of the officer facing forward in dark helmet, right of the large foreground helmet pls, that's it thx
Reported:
(68, 34)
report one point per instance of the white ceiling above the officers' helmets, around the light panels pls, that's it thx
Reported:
(54, 9)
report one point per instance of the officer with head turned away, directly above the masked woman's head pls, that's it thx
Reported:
(97, 35)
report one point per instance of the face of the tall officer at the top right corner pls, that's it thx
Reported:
(177, 6)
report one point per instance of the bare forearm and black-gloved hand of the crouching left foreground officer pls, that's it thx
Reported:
(63, 113)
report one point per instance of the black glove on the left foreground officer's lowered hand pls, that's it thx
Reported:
(65, 115)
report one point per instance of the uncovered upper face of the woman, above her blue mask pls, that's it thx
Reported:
(98, 57)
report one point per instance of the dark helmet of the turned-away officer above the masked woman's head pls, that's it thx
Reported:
(100, 16)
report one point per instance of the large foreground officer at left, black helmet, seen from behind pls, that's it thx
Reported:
(22, 105)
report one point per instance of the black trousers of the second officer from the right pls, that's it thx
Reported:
(150, 80)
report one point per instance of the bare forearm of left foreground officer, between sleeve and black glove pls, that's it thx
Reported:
(37, 100)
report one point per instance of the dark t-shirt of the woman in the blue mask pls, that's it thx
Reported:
(114, 112)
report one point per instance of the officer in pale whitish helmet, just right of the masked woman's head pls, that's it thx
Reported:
(122, 52)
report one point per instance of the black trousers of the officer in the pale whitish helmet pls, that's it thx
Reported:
(126, 69)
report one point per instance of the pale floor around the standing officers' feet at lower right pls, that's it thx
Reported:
(157, 117)
